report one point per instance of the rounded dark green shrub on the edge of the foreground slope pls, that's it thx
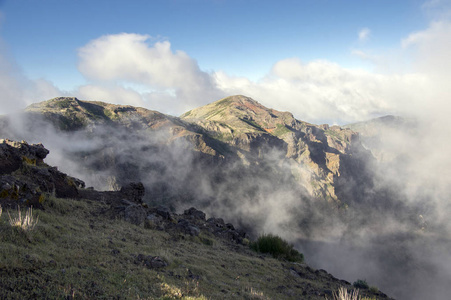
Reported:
(277, 247)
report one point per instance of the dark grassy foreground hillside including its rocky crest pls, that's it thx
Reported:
(90, 244)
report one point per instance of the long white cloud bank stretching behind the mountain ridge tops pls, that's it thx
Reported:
(132, 69)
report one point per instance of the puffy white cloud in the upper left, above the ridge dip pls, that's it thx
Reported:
(129, 58)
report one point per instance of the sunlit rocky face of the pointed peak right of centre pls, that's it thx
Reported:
(319, 156)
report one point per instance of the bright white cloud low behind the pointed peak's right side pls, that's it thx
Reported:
(321, 91)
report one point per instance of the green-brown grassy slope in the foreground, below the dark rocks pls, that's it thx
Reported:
(77, 252)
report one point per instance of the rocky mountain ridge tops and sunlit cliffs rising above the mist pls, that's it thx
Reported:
(233, 129)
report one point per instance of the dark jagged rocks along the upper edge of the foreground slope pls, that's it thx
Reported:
(28, 180)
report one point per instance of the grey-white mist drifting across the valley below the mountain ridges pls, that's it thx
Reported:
(395, 232)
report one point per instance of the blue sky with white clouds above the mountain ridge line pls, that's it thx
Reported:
(223, 46)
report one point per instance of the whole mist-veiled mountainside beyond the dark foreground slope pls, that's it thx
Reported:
(260, 169)
